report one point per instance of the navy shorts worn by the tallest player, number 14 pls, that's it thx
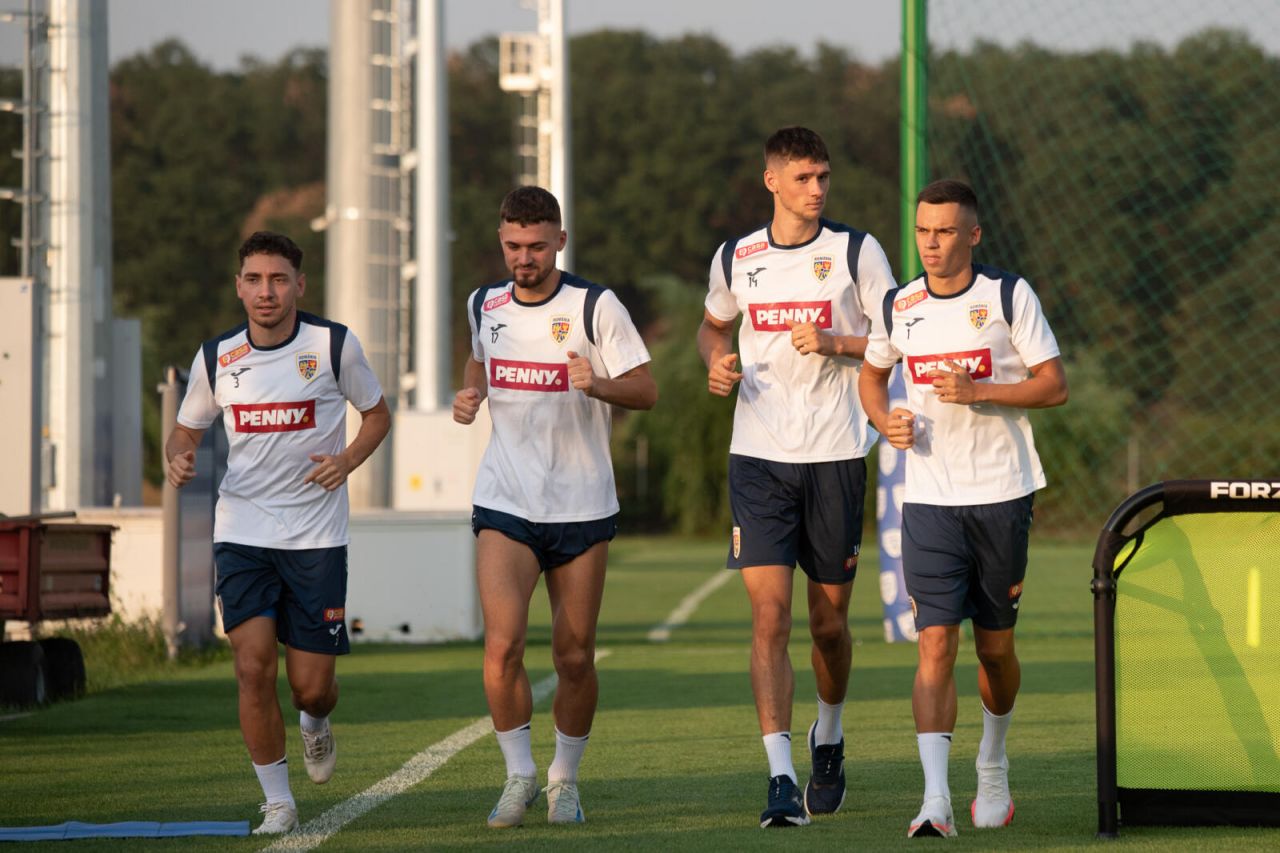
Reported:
(808, 514)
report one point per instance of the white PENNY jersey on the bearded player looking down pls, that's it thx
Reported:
(548, 455)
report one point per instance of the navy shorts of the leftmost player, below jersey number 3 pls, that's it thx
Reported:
(305, 591)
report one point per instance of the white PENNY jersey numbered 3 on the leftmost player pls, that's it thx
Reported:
(280, 405)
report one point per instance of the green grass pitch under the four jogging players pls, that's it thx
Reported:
(675, 761)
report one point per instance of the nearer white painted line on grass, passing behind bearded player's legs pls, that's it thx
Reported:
(317, 832)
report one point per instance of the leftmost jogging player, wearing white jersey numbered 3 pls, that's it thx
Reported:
(281, 385)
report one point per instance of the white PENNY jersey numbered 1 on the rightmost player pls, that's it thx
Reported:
(982, 453)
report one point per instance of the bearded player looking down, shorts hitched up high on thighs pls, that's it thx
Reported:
(551, 353)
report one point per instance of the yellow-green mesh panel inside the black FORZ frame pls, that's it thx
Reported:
(1197, 638)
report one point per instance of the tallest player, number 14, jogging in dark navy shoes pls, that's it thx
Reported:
(807, 289)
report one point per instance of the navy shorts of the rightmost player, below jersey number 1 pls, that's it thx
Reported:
(966, 562)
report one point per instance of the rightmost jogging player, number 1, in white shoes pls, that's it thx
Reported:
(977, 354)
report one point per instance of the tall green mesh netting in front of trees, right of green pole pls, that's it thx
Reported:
(1133, 184)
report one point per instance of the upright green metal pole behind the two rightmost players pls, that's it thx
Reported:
(913, 125)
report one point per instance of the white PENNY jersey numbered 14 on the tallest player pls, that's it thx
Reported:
(797, 408)
